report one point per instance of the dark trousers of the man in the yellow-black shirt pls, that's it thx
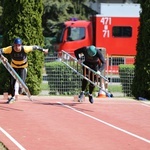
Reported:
(22, 72)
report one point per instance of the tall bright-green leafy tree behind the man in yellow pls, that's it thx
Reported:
(23, 18)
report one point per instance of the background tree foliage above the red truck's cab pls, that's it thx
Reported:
(61, 10)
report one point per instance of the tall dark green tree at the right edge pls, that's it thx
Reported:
(141, 81)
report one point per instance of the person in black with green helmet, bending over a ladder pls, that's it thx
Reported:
(94, 59)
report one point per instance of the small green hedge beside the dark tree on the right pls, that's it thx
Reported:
(126, 73)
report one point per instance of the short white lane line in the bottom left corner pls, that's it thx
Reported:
(12, 139)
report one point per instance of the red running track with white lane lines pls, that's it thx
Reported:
(59, 123)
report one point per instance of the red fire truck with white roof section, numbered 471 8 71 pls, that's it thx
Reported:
(115, 30)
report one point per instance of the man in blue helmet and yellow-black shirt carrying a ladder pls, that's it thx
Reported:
(18, 53)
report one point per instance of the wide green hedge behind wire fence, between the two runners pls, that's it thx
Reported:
(61, 79)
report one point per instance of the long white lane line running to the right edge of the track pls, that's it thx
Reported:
(108, 124)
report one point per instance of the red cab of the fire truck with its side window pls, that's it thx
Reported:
(72, 35)
